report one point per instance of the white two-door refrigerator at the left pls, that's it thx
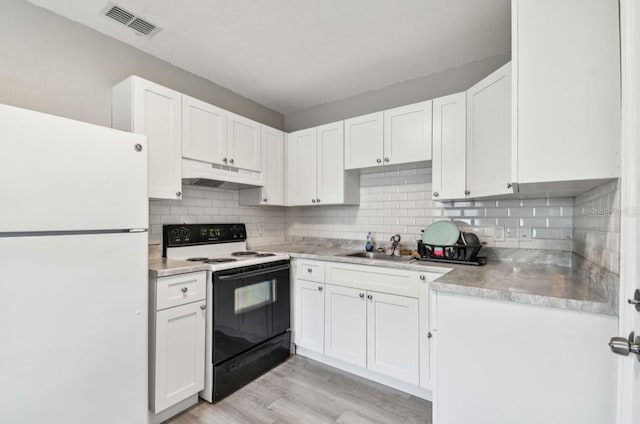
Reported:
(73, 271)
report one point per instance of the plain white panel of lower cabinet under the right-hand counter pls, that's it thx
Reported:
(505, 362)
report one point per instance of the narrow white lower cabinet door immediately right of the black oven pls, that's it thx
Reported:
(309, 315)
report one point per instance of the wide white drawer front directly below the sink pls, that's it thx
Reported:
(380, 279)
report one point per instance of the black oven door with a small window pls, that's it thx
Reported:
(250, 305)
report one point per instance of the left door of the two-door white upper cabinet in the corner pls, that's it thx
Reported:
(302, 164)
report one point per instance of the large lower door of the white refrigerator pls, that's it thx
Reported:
(73, 329)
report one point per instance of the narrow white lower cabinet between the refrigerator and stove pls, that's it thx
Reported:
(177, 340)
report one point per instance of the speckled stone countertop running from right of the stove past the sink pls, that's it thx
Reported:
(535, 277)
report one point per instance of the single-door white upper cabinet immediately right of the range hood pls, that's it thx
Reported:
(273, 170)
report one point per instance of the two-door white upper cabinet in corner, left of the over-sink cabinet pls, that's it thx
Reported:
(315, 162)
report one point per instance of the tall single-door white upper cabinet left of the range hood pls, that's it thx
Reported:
(147, 108)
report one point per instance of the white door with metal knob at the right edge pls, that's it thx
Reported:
(629, 367)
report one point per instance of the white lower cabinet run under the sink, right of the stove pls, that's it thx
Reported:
(370, 320)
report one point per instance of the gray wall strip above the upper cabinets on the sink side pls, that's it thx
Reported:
(442, 83)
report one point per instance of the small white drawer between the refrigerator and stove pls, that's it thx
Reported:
(180, 289)
